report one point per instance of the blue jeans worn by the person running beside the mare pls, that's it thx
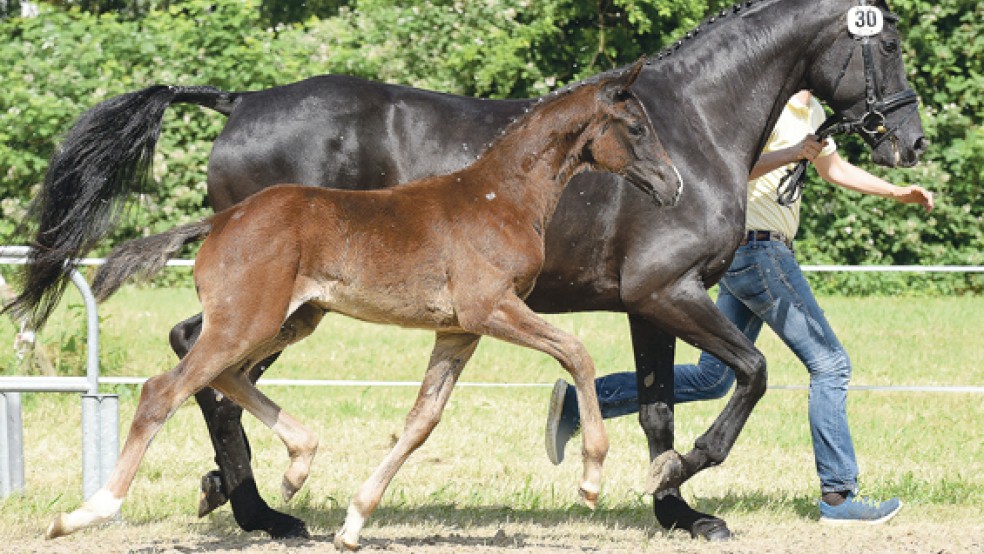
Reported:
(765, 284)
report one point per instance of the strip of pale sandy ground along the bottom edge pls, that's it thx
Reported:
(903, 535)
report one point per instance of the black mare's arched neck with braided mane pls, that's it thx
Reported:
(755, 56)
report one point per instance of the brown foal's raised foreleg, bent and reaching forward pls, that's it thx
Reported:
(513, 321)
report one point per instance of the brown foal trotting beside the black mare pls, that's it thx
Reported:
(456, 253)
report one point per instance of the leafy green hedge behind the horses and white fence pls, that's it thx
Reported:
(58, 65)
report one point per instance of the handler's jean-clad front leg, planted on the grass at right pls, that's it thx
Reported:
(767, 279)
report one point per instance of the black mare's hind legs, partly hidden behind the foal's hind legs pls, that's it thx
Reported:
(234, 479)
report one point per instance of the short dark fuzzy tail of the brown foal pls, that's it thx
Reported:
(144, 256)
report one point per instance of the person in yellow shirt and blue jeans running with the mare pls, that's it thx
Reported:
(765, 284)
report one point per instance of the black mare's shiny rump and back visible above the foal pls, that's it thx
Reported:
(340, 131)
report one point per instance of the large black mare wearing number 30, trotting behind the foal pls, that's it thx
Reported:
(715, 96)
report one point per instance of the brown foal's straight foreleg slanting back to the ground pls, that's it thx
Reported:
(451, 352)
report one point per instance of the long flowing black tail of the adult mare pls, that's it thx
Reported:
(105, 157)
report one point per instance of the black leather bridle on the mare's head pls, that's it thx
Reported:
(871, 123)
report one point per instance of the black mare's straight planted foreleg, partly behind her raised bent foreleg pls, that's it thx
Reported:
(654, 354)
